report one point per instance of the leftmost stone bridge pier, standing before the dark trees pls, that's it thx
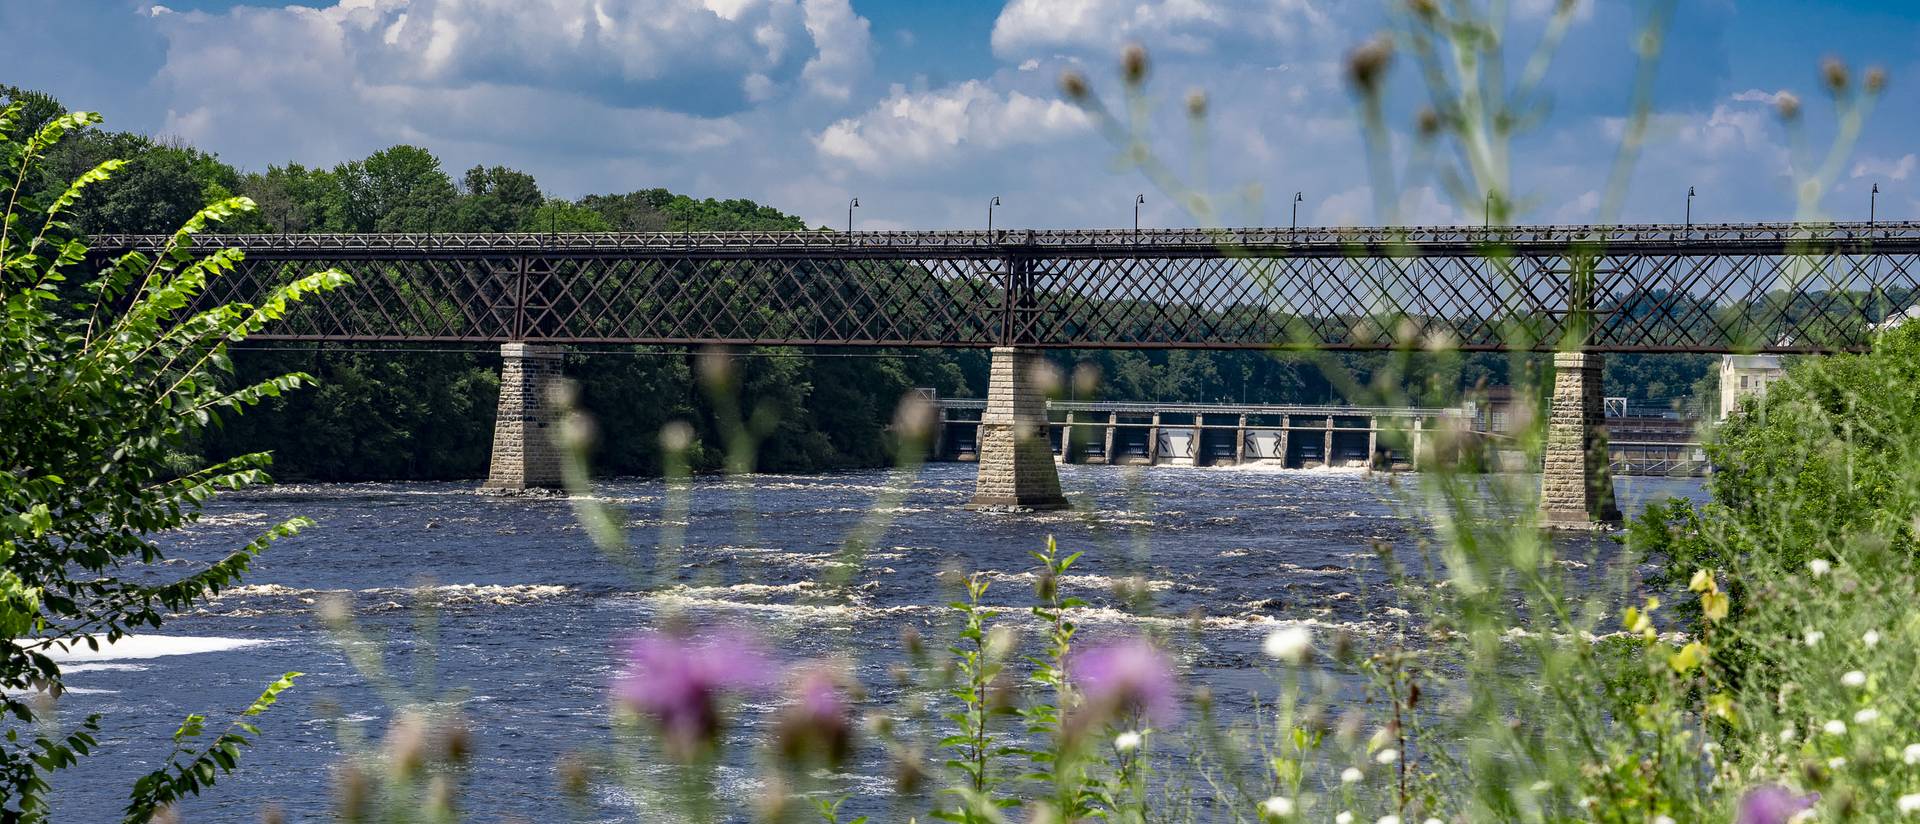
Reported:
(525, 452)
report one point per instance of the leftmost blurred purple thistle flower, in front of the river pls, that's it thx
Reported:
(681, 681)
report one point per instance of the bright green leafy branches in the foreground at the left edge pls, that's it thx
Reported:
(101, 383)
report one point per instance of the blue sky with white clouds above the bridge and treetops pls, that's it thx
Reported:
(926, 110)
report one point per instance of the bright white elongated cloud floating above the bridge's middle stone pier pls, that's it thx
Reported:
(934, 128)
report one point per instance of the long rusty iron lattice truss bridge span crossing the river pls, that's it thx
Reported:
(1608, 289)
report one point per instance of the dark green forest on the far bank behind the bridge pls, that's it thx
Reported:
(414, 414)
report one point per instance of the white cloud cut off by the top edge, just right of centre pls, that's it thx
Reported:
(1184, 26)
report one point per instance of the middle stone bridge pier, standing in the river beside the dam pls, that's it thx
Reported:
(1017, 462)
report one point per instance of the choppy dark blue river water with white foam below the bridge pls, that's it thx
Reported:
(527, 616)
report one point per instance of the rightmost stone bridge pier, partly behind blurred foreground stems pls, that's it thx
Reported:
(1575, 489)
